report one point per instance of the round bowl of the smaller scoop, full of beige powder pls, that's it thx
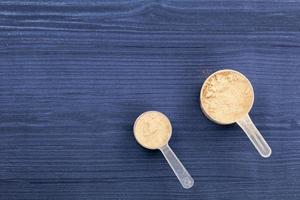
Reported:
(152, 130)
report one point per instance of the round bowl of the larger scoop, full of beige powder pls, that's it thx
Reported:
(226, 96)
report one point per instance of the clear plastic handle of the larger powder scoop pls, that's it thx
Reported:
(255, 136)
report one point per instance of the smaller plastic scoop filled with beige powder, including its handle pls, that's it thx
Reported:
(153, 130)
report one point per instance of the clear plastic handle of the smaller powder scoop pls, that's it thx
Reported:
(182, 174)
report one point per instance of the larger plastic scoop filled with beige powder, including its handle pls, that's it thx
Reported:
(227, 97)
